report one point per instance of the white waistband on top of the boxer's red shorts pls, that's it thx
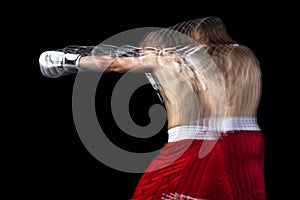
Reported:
(212, 129)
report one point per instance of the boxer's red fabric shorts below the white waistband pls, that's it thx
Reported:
(233, 170)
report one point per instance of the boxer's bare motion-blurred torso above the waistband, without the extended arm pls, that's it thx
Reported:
(224, 82)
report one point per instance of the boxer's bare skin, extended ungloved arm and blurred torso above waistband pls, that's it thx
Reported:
(188, 99)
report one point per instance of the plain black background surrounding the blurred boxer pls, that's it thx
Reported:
(51, 160)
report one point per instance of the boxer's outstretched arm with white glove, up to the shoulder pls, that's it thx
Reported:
(58, 63)
